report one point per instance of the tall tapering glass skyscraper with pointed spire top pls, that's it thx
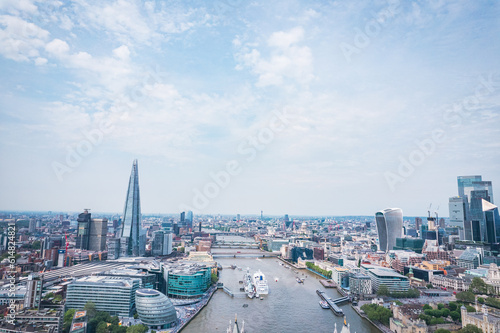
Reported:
(132, 238)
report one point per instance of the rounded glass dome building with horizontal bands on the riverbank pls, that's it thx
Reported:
(155, 309)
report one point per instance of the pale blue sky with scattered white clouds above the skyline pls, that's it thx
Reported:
(231, 106)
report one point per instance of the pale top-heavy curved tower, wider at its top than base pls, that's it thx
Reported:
(389, 227)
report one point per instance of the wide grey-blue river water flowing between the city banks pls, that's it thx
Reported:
(289, 307)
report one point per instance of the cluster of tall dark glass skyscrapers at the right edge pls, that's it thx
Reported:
(473, 211)
